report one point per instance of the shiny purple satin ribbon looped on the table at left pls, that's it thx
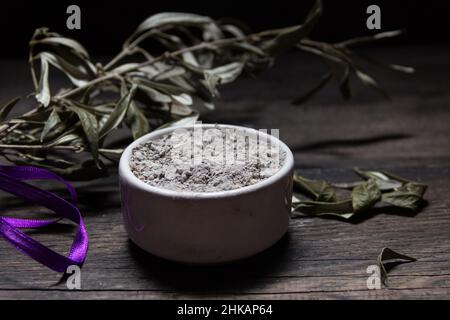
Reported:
(11, 181)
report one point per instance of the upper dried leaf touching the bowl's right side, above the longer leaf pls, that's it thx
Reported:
(319, 190)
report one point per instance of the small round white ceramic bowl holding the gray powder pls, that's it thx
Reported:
(213, 227)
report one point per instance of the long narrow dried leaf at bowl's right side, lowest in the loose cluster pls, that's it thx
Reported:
(342, 209)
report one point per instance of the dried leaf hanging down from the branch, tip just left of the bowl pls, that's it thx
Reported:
(90, 126)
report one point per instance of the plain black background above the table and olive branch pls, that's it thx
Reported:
(105, 24)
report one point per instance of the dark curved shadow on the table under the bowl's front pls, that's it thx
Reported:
(224, 278)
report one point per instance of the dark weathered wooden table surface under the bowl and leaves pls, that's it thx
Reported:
(318, 258)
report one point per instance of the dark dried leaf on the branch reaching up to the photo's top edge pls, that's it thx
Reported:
(291, 37)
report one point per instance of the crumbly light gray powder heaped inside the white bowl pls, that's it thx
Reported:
(206, 160)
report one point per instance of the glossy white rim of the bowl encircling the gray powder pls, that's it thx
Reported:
(126, 173)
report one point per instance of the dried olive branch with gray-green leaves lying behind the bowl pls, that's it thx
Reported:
(69, 129)
